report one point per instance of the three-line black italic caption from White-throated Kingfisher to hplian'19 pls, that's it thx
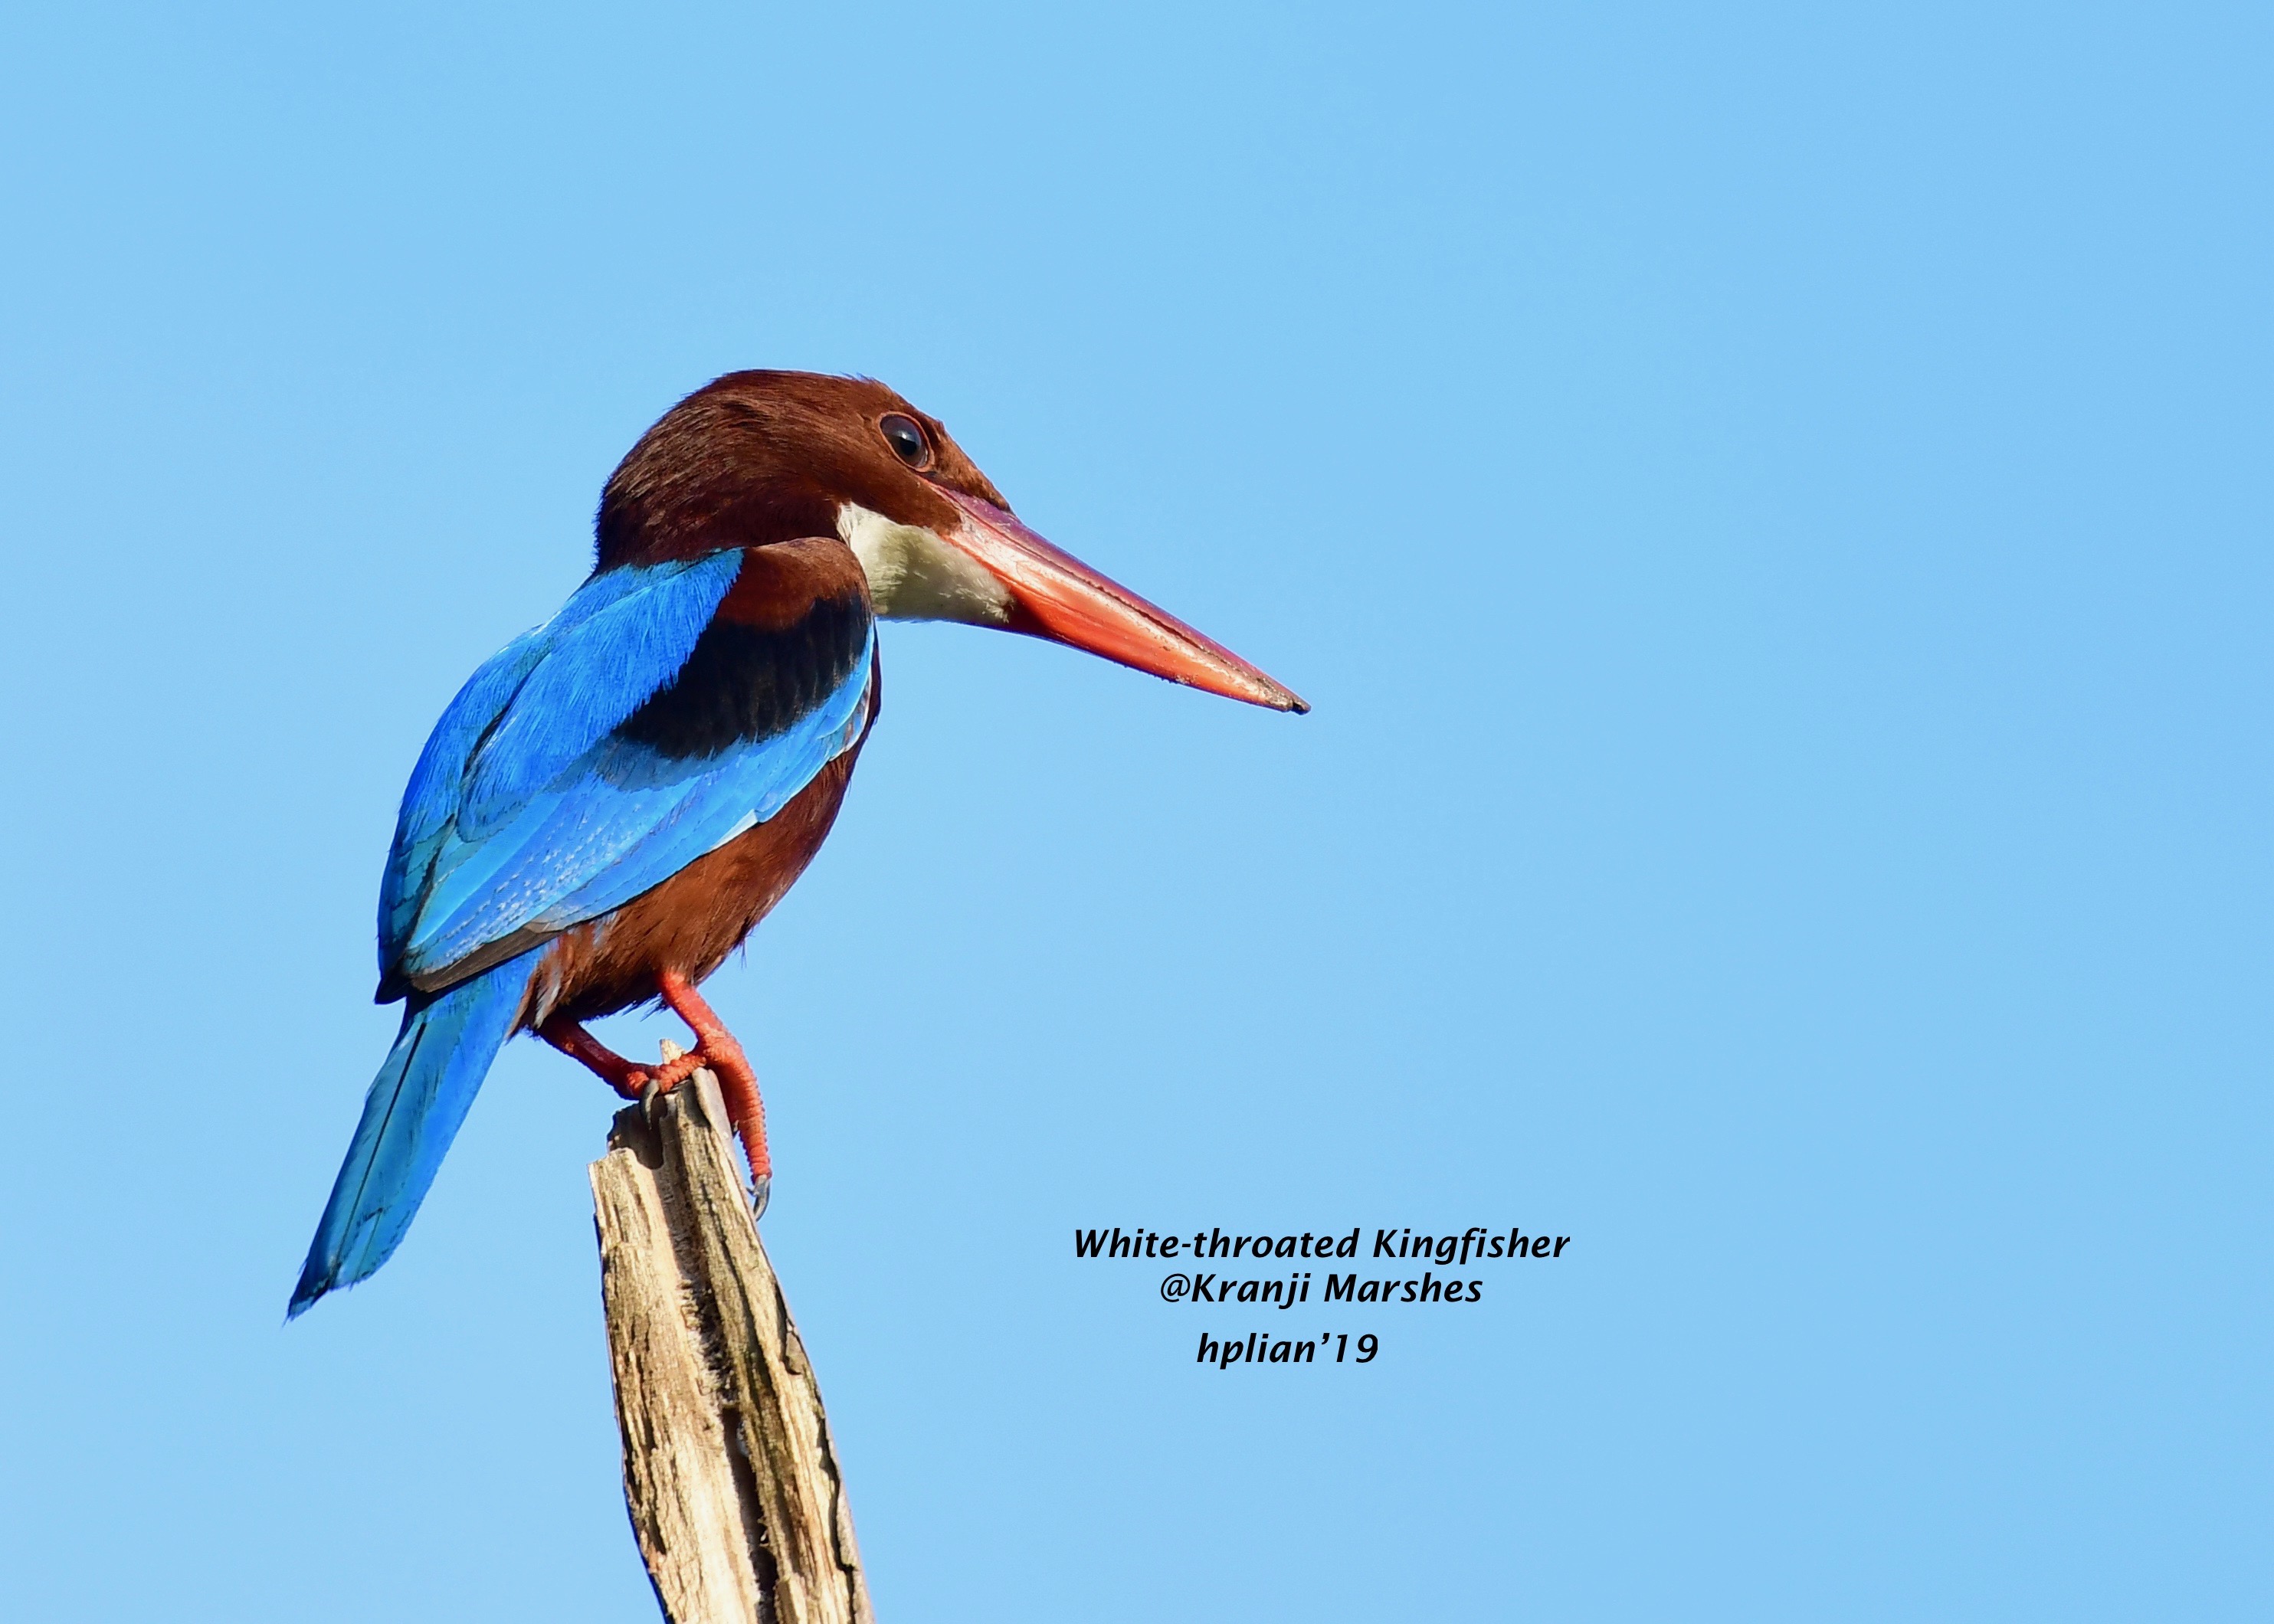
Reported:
(1368, 1282)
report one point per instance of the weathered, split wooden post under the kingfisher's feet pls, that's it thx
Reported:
(729, 1468)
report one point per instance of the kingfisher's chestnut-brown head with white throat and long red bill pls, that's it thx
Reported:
(761, 458)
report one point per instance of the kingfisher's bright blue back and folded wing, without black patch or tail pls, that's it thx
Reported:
(529, 813)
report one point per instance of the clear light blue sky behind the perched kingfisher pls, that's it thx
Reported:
(1770, 511)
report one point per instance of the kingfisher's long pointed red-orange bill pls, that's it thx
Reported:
(1063, 599)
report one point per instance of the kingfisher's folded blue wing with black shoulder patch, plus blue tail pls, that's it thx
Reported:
(583, 765)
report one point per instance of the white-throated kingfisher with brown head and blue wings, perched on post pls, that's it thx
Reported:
(622, 795)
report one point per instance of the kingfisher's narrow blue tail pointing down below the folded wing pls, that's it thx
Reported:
(410, 1116)
